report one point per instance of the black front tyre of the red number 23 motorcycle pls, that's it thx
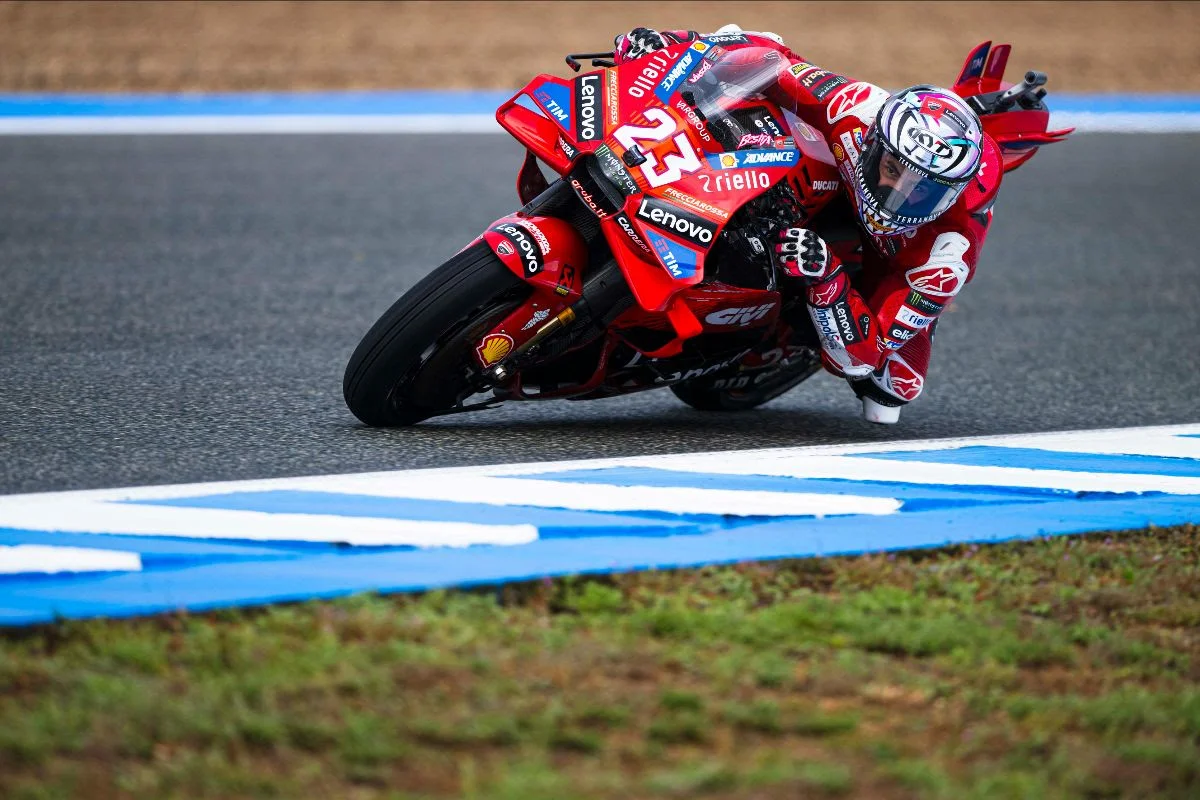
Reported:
(418, 360)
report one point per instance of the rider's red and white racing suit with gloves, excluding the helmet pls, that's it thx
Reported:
(877, 333)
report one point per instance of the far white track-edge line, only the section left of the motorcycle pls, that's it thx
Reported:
(253, 124)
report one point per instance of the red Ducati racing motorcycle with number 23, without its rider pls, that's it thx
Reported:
(646, 263)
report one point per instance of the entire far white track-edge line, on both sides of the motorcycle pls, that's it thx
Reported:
(1084, 123)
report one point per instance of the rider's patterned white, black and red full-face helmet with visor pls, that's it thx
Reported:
(922, 152)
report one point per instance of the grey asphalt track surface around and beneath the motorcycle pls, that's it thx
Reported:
(182, 309)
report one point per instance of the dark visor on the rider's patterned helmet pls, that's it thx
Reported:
(903, 194)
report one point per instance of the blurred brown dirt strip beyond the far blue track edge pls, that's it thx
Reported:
(296, 46)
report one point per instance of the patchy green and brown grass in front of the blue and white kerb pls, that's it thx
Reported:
(1057, 669)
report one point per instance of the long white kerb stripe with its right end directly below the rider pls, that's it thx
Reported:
(601, 497)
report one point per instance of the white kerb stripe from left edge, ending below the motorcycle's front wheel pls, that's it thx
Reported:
(88, 516)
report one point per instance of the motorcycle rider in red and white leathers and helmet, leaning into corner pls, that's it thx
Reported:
(921, 176)
